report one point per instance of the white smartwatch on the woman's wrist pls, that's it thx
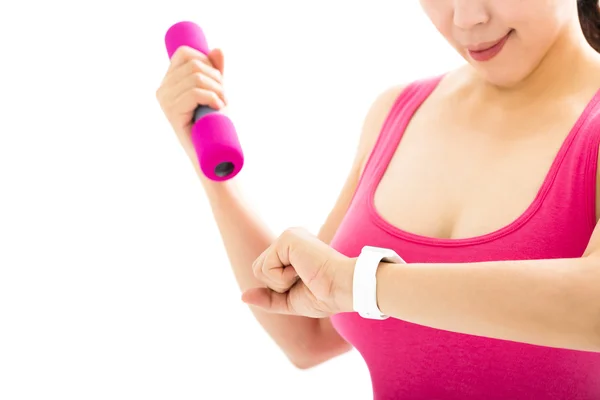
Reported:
(364, 284)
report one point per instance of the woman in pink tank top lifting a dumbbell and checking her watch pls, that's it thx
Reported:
(483, 180)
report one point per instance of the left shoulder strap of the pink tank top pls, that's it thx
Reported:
(398, 118)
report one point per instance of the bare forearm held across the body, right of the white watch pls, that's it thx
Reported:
(553, 303)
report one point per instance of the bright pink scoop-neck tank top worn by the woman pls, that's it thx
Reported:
(408, 361)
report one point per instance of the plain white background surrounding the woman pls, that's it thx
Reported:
(113, 281)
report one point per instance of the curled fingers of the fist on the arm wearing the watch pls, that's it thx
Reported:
(274, 271)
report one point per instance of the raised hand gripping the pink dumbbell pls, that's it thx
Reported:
(192, 79)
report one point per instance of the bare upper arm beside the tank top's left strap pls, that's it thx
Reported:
(370, 131)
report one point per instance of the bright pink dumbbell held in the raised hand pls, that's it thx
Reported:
(214, 137)
